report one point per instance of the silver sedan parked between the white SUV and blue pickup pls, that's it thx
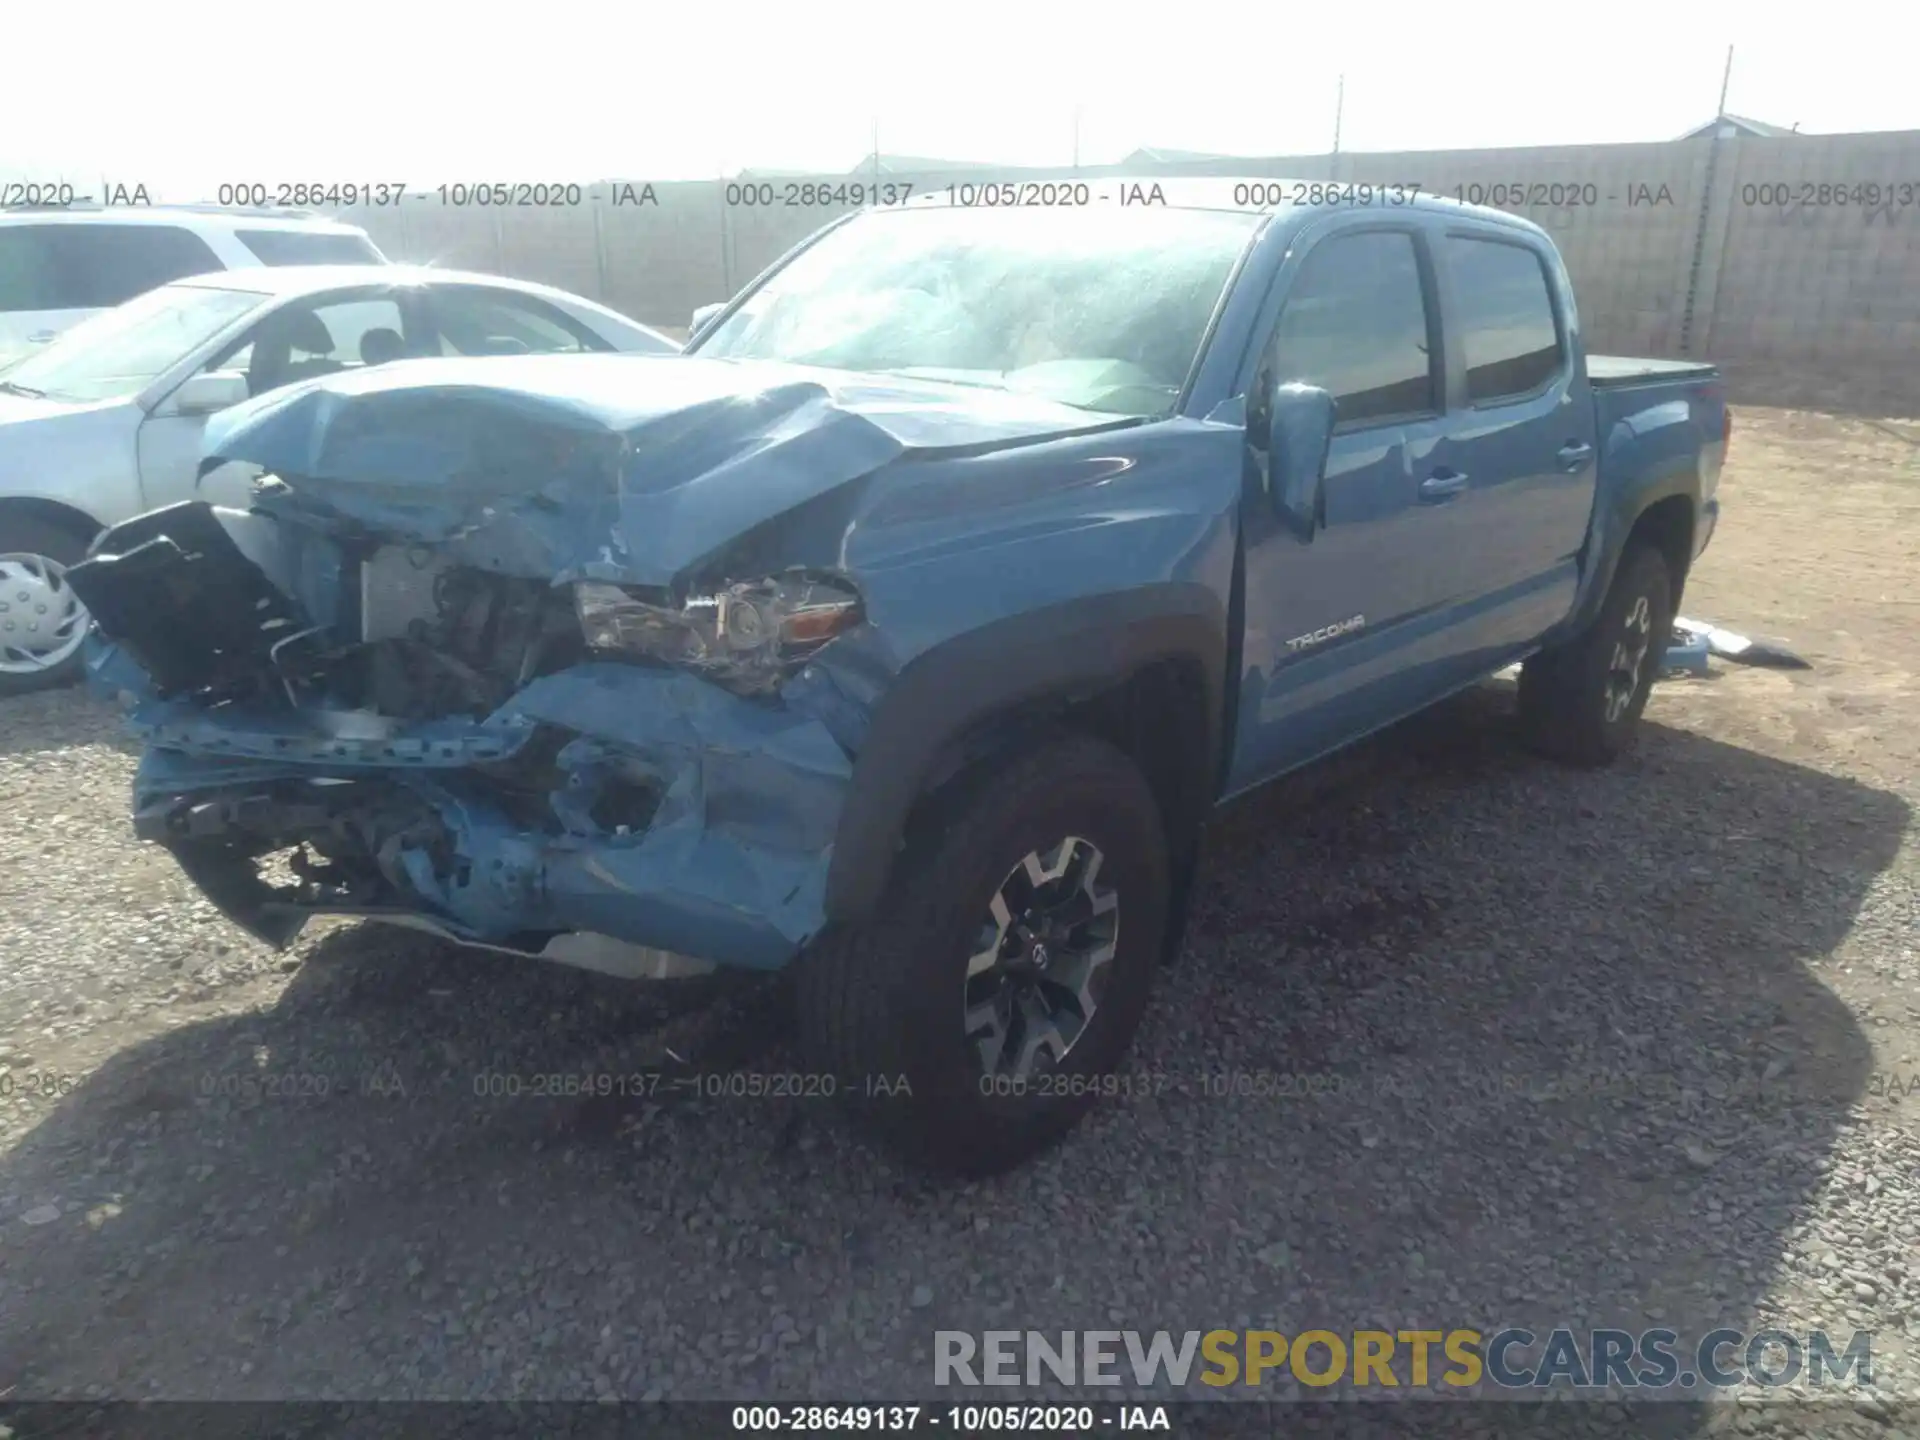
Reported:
(105, 423)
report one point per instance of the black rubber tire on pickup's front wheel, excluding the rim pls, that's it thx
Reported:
(882, 1005)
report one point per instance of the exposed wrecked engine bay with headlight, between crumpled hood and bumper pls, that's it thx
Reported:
(410, 635)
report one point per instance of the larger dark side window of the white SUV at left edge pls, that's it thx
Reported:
(95, 266)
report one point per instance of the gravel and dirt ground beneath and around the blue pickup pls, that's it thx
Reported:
(1616, 1049)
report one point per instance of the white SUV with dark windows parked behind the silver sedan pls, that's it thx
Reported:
(62, 266)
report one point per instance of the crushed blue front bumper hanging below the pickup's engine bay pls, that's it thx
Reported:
(677, 817)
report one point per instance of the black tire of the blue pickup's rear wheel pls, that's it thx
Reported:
(1566, 692)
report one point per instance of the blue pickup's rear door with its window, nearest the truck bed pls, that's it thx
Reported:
(1520, 446)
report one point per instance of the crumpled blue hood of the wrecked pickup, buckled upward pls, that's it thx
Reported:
(612, 468)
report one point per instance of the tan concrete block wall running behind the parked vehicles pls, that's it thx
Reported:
(1773, 276)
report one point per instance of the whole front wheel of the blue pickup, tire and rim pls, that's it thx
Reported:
(978, 1017)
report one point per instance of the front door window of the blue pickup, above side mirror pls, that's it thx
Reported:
(1356, 327)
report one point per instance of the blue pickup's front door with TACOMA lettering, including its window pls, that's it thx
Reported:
(1328, 615)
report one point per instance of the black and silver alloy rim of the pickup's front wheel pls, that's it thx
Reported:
(1042, 961)
